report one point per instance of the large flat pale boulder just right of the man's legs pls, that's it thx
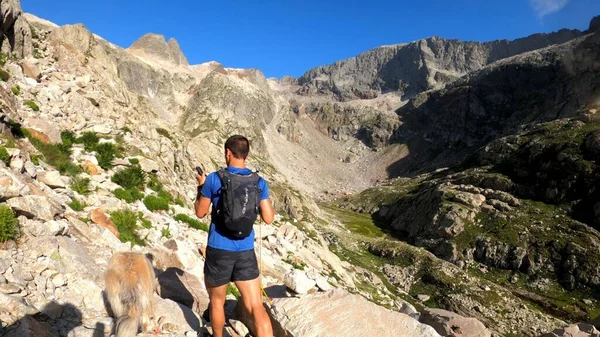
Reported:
(338, 313)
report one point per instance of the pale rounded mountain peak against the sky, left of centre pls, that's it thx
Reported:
(156, 47)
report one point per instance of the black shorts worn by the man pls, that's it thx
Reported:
(223, 266)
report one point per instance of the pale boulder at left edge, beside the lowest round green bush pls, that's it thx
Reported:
(36, 206)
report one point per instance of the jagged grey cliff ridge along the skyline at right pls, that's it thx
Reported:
(415, 67)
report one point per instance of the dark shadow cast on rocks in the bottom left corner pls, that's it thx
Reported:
(54, 319)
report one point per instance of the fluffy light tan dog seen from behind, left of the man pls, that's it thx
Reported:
(130, 286)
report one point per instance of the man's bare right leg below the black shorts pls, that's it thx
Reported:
(252, 300)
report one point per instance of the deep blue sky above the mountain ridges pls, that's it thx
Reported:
(288, 37)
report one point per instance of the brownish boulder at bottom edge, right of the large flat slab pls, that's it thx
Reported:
(447, 323)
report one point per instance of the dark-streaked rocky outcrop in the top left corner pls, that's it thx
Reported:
(16, 34)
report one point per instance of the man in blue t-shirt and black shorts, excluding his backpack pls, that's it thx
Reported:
(228, 258)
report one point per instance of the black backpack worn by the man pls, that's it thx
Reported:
(238, 204)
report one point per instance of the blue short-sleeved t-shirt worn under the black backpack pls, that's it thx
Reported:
(212, 190)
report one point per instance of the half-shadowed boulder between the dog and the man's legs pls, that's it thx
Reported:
(184, 288)
